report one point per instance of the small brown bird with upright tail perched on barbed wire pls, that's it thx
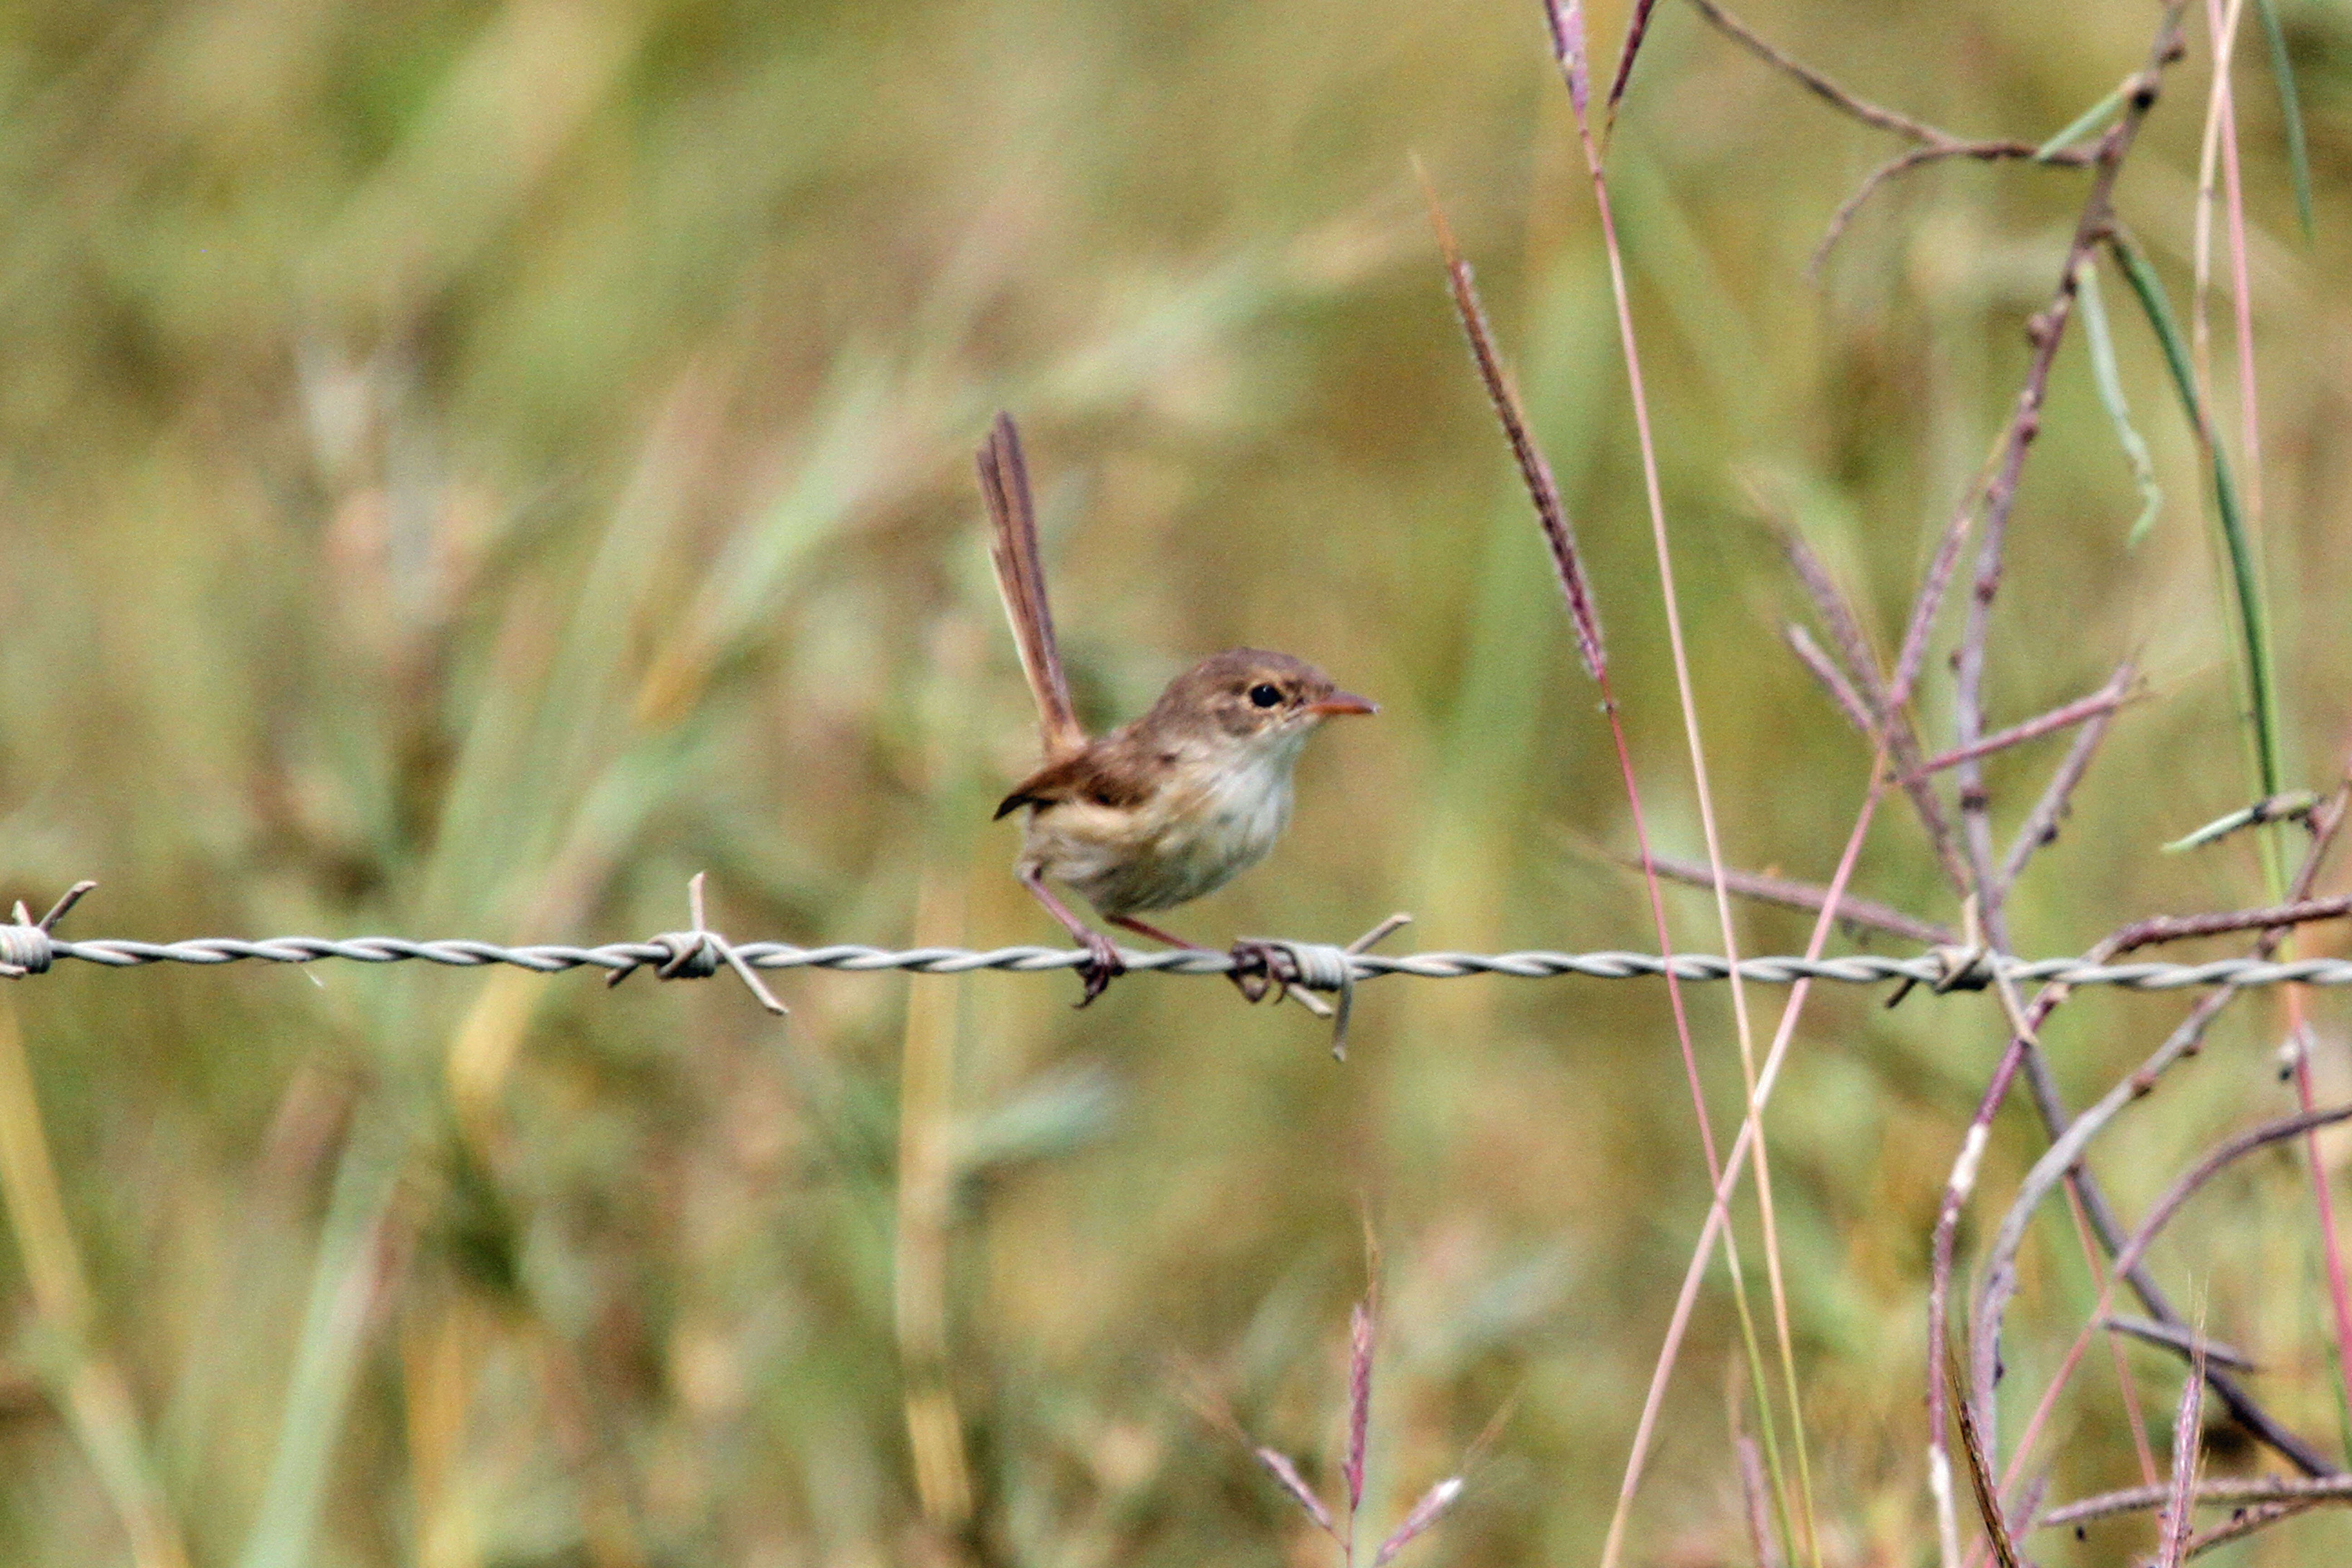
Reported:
(1165, 808)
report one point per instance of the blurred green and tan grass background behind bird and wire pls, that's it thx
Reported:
(469, 467)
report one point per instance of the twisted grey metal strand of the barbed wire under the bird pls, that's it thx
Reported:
(1939, 970)
